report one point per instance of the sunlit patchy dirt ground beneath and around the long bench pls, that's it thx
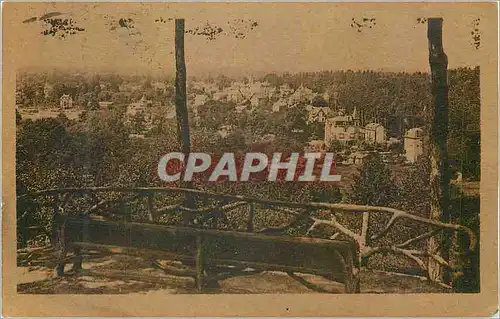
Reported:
(35, 273)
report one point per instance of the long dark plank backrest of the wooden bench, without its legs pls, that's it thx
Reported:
(310, 254)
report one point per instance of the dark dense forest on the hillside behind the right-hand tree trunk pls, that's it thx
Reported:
(401, 101)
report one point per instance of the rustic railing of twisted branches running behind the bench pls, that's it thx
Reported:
(313, 214)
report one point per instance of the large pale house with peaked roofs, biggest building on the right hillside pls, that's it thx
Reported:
(343, 128)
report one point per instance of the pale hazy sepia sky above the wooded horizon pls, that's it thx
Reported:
(289, 37)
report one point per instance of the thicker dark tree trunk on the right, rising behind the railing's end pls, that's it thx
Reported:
(439, 176)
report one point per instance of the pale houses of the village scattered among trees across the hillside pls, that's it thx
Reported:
(345, 133)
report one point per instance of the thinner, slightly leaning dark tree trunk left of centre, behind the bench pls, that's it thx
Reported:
(181, 109)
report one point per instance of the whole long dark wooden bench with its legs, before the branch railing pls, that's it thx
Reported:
(335, 260)
